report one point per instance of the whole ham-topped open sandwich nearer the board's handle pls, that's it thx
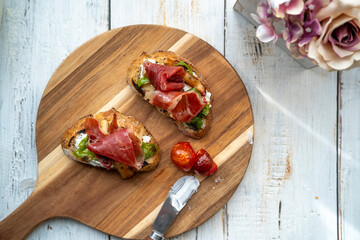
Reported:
(112, 140)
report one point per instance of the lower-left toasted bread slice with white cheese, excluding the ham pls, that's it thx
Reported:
(76, 133)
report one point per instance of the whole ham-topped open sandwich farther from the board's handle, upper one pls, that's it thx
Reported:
(175, 87)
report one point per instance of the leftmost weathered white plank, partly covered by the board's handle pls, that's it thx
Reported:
(34, 38)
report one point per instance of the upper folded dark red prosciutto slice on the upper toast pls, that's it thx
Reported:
(165, 78)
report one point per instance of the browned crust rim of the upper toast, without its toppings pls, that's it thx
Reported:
(168, 58)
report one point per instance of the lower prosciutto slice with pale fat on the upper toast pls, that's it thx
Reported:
(182, 106)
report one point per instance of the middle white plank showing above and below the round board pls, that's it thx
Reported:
(202, 18)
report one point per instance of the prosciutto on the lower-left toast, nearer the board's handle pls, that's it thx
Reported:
(120, 145)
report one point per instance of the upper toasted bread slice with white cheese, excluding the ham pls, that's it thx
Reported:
(137, 71)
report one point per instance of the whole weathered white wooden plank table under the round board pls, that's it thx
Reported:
(303, 181)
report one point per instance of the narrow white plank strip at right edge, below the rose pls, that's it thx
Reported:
(349, 152)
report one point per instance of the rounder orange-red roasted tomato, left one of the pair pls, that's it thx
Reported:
(183, 156)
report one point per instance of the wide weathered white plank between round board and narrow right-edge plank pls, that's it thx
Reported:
(289, 189)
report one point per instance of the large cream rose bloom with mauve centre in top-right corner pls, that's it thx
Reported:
(338, 46)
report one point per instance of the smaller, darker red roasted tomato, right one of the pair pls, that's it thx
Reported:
(204, 164)
